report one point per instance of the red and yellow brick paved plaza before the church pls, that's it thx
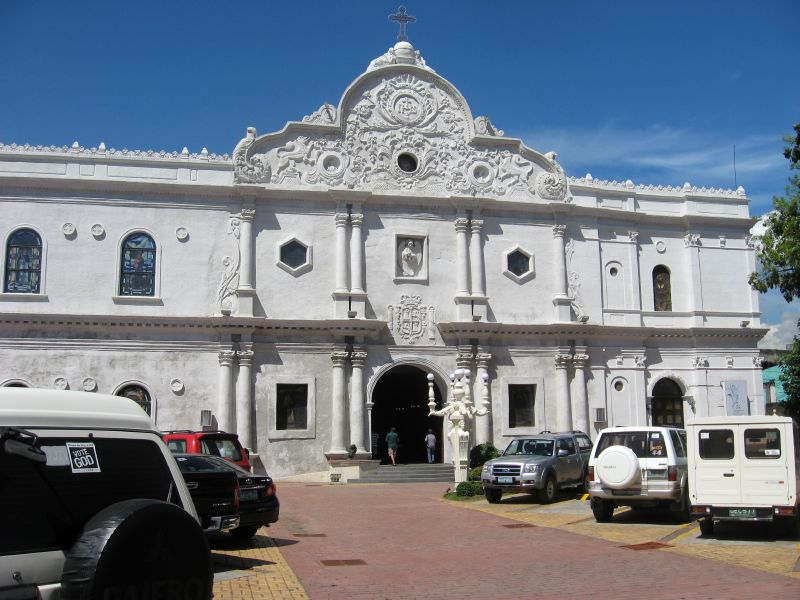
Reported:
(405, 541)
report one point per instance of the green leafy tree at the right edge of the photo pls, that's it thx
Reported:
(779, 254)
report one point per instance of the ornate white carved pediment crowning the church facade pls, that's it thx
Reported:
(400, 126)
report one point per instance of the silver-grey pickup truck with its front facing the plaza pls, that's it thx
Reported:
(539, 464)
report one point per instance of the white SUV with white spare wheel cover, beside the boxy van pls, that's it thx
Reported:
(641, 467)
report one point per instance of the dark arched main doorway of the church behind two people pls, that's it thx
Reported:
(400, 400)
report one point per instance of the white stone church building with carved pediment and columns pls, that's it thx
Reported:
(300, 291)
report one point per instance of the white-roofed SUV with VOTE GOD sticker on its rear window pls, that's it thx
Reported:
(92, 502)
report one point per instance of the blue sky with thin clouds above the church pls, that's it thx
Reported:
(656, 92)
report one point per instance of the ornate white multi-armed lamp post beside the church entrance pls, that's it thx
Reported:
(460, 411)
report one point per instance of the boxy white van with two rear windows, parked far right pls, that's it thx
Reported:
(744, 468)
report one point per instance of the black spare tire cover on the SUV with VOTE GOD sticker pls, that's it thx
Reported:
(139, 549)
